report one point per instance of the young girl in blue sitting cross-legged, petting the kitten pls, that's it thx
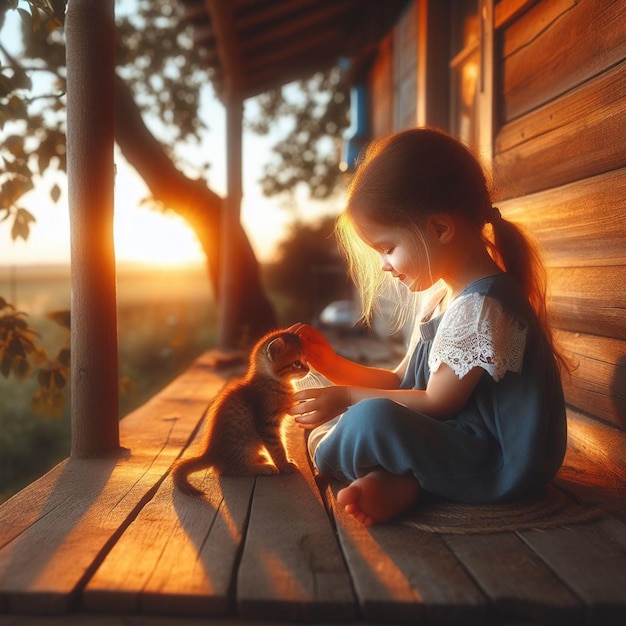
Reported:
(475, 411)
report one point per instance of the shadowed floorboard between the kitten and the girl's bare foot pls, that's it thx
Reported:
(291, 566)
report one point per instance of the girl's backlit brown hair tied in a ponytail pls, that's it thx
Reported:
(403, 179)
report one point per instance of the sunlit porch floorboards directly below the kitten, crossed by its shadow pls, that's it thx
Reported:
(179, 555)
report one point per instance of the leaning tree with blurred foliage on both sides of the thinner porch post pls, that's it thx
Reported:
(158, 92)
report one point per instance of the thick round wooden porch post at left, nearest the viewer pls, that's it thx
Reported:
(90, 37)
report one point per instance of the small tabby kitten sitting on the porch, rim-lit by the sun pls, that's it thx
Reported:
(246, 415)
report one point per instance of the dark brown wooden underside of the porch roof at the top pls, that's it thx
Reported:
(258, 45)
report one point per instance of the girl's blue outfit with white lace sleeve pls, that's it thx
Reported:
(509, 439)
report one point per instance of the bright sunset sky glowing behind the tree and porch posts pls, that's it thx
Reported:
(141, 234)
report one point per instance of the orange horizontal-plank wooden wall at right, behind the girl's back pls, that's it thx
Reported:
(560, 165)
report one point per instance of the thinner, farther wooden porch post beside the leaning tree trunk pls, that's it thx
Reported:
(229, 235)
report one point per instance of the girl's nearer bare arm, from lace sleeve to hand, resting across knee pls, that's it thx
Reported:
(443, 398)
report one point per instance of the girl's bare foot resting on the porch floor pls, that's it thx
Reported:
(379, 496)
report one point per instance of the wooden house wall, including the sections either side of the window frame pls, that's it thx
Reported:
(553, 110)
